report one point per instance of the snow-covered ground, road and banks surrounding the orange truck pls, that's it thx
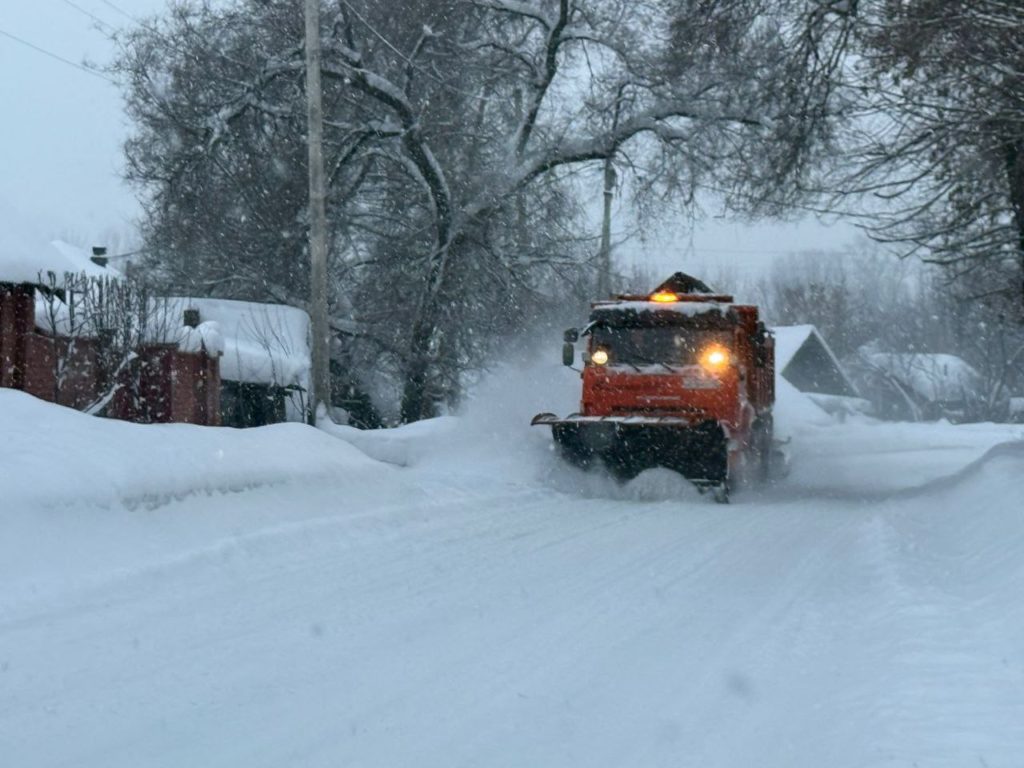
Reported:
(449, 595)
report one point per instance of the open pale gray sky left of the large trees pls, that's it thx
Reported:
(64, 127)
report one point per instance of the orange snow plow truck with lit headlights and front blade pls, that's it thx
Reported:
(681, 378)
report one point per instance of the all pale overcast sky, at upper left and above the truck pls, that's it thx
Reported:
(62, 139)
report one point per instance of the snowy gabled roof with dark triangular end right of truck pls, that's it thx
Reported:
(803, 359)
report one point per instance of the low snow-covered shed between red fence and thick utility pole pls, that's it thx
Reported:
(265, 370)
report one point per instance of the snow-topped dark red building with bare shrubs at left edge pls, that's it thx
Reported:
(66, 338)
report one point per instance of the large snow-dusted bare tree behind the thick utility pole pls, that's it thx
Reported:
(454, 131)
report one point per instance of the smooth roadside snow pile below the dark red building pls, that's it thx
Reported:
(55, 456)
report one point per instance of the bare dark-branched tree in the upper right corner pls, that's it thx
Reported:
(940, 148)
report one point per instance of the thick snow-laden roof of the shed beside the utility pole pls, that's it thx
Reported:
(263, 344)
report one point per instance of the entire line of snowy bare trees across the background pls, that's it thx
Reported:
(457, 132)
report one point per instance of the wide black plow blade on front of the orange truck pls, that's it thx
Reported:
(629, 445)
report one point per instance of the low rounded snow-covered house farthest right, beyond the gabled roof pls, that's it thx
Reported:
(916, 387)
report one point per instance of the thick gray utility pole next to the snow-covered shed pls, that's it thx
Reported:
(321, 348)
